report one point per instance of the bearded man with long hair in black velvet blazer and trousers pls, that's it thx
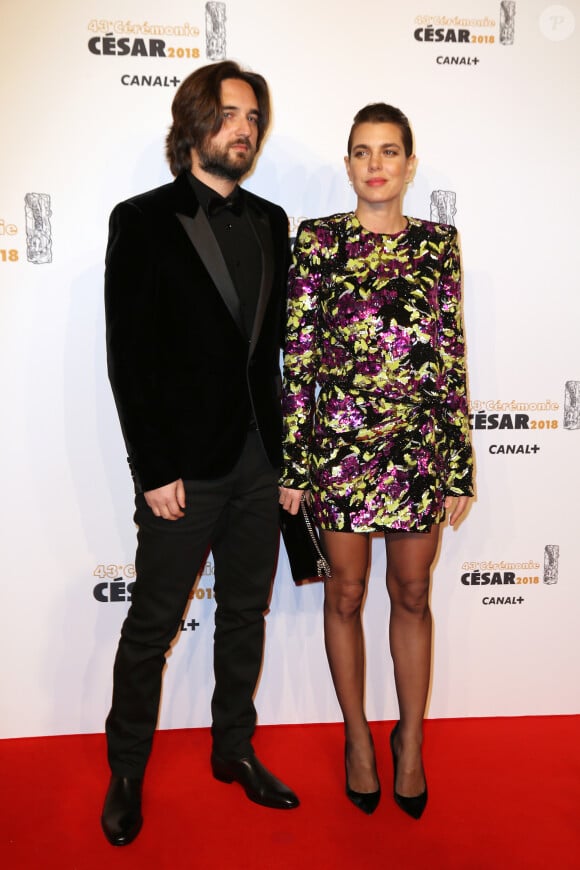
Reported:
(194, 290)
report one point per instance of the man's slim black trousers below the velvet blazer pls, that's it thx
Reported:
(237, 516)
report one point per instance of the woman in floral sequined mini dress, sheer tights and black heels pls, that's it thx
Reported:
(374, 320)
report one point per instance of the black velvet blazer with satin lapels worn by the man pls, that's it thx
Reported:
(185, 377)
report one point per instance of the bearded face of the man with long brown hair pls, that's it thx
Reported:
(231, 152)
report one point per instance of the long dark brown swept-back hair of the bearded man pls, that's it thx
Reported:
(196, 109)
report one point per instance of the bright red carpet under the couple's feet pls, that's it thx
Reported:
(503, 793)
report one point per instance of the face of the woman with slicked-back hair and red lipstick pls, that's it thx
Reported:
(377, 165)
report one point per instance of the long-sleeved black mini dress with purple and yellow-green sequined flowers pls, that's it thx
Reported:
(374, 375)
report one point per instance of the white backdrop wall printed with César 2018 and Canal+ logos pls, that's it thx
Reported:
(491, 90)
